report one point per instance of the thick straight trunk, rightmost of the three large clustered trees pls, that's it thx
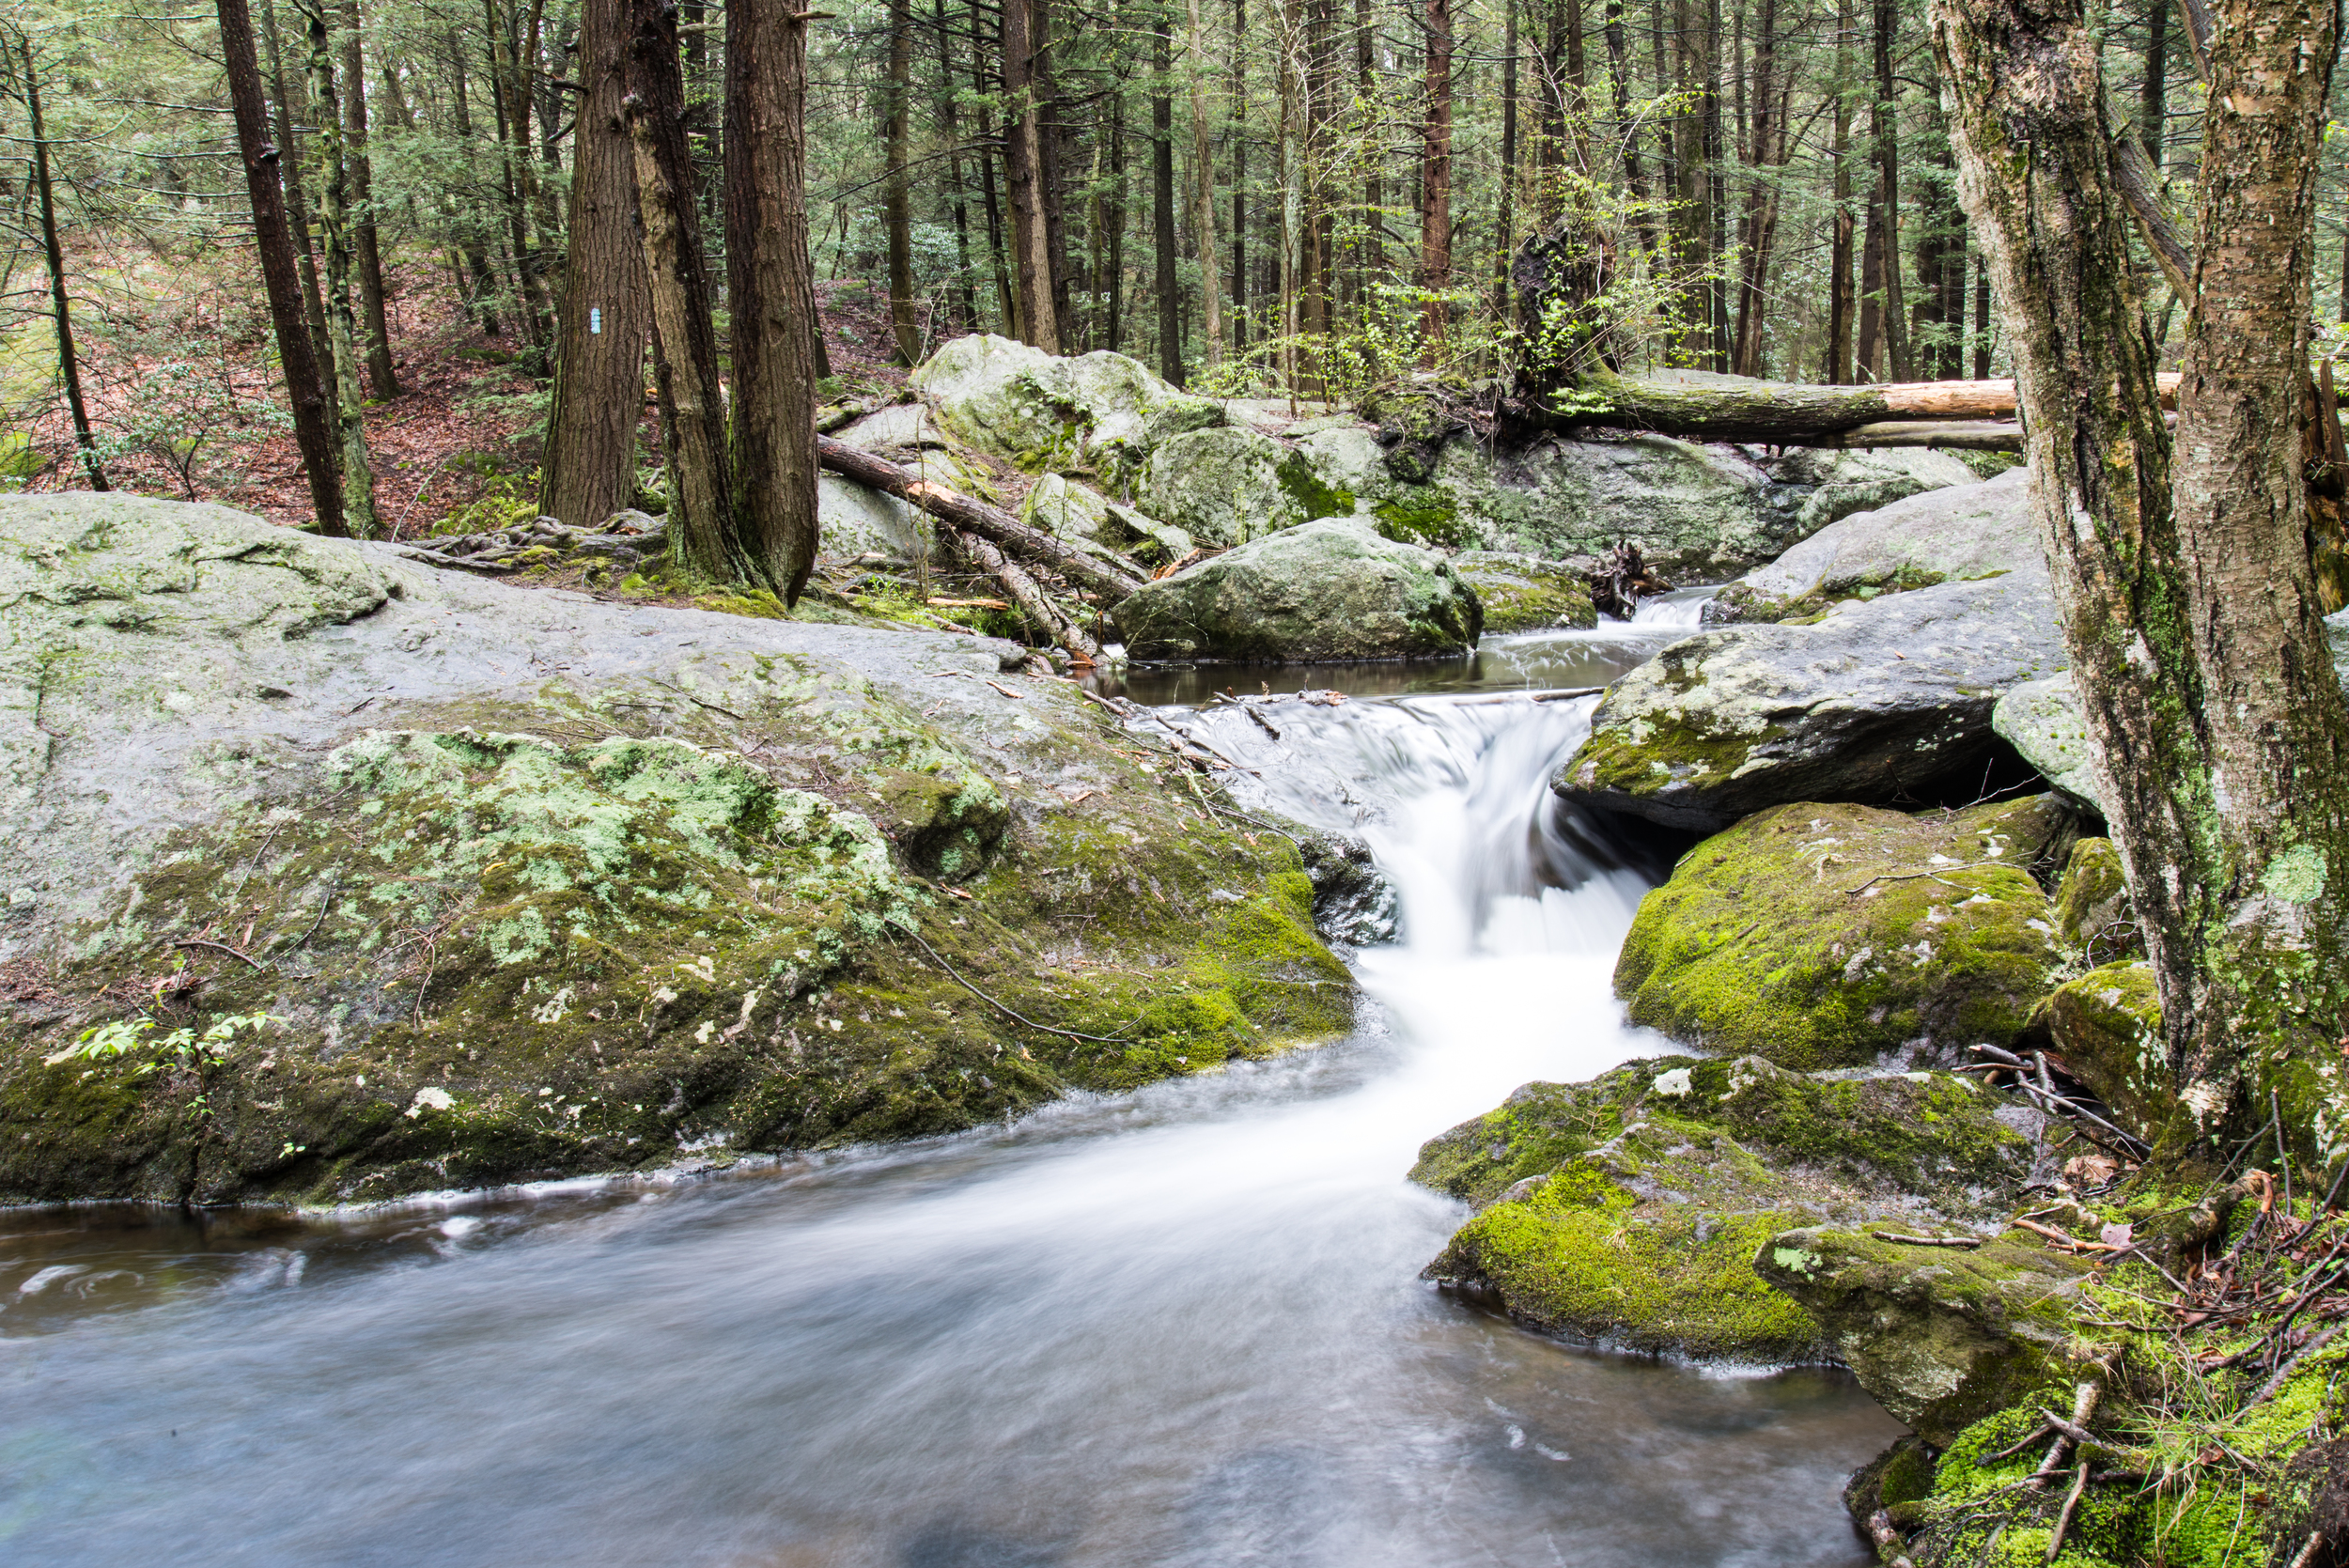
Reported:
(772, 290)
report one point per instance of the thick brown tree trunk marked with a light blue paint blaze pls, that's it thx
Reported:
(591, 466)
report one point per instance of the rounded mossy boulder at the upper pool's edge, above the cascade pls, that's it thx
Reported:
(1326, 590)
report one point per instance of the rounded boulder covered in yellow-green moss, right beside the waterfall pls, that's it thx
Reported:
(1836, 935)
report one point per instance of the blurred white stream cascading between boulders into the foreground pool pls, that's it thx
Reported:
(1176, 1327)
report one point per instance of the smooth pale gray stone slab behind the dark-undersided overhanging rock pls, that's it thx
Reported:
(1965, 532)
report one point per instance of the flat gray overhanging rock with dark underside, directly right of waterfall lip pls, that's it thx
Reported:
(1866, 705)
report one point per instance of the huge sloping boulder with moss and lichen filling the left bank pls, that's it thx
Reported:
(342, 879)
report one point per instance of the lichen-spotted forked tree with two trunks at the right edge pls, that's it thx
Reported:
(2183, 567)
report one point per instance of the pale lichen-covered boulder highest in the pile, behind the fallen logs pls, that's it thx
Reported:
(1039, 412)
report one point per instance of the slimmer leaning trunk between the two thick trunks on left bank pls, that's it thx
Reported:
(704, 539)
